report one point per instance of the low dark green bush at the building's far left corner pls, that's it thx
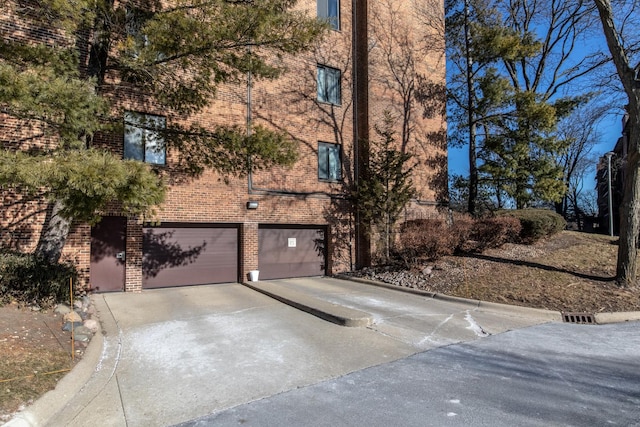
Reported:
(29, 280)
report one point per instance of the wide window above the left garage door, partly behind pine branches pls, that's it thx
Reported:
(142, 141)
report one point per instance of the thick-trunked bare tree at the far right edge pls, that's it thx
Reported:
(622, 53)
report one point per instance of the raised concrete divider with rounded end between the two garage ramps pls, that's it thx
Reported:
(334, 313)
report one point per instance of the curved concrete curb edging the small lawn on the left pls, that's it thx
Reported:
(43, 410)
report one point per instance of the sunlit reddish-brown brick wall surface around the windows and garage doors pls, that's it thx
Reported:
(285, 195)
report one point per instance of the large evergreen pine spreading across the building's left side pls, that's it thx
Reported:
(170, 55)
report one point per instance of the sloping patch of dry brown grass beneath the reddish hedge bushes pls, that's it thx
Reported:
(569, 272)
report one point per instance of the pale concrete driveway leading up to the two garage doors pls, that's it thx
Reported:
(172, 355)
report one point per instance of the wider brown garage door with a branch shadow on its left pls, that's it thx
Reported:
(183, 254)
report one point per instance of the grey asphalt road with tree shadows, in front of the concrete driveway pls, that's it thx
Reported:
(546, 375)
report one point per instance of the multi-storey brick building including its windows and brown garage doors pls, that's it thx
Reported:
(283, 222)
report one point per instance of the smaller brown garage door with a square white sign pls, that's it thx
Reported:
(291, 252)
